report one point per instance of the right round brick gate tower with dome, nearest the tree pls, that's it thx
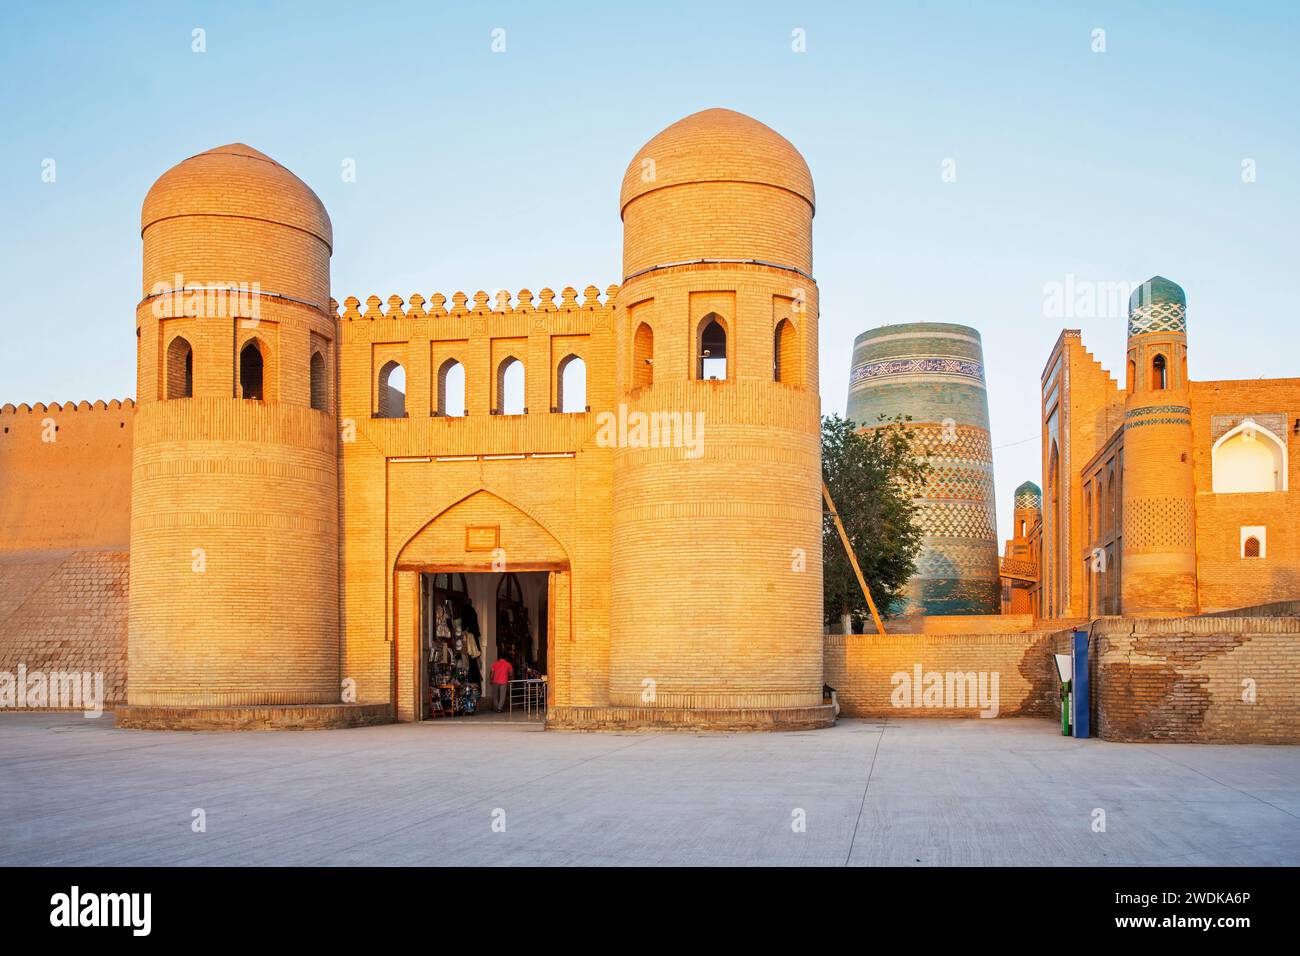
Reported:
(717, 560)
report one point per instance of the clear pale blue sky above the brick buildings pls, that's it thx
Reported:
(484, 171)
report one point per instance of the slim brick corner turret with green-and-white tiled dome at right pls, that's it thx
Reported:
(1159, 551)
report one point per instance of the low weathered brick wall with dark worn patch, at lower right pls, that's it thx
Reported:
(1198, 680)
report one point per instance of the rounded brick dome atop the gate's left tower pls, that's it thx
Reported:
(237, 181)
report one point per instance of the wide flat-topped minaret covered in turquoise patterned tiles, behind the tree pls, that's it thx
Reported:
(935, 374)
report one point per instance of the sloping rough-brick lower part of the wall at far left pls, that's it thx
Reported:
(66, 612)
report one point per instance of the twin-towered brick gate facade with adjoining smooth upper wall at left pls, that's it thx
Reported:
(287, 496)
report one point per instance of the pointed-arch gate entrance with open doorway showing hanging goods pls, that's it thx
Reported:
(482, 565)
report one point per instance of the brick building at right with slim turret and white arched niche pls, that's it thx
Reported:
(1134, 521)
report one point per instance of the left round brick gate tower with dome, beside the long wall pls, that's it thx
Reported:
(235, 490)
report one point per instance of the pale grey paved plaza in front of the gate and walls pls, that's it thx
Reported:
(905, 793)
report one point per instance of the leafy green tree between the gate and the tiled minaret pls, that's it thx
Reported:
(873, 475)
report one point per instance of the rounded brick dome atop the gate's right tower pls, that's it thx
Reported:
(718, 146)
